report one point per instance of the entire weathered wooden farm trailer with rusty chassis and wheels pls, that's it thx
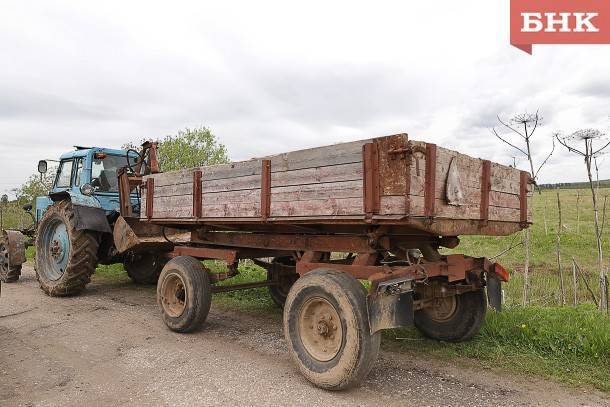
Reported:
(319, 220)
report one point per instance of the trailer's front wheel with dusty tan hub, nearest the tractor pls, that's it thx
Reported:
(184, 294)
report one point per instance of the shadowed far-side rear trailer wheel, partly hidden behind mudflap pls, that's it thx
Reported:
(453, 319)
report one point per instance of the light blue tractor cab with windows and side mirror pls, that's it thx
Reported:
(89, 177)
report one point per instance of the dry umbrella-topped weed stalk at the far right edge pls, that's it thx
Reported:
(589, 137)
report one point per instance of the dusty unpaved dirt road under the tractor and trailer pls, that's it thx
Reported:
(109, 347)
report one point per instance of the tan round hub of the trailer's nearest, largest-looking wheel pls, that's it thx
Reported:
(320, 329)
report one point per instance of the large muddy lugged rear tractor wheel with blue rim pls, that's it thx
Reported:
(65, 256)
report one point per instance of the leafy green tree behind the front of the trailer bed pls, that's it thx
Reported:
(190, 148)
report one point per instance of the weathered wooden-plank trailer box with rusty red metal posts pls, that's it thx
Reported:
(415, 187)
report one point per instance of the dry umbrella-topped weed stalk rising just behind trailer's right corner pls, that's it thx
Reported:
(524, 126)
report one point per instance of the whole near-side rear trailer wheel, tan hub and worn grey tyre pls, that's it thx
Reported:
(327, 329)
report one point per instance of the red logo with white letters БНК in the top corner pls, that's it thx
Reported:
(559, 22)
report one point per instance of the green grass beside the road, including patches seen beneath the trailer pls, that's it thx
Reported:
(567, 344)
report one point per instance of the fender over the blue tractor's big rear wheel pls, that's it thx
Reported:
(89, 213)
